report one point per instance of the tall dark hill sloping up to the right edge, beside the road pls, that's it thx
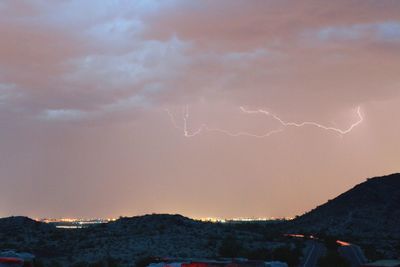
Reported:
(370, 209)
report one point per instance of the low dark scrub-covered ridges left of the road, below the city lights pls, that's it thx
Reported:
(128, 240)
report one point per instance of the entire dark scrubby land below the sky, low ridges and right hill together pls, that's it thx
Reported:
(368, 215)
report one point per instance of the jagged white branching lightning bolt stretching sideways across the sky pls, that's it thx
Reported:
(283, 124)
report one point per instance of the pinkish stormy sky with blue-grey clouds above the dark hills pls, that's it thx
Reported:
(260, 108)
